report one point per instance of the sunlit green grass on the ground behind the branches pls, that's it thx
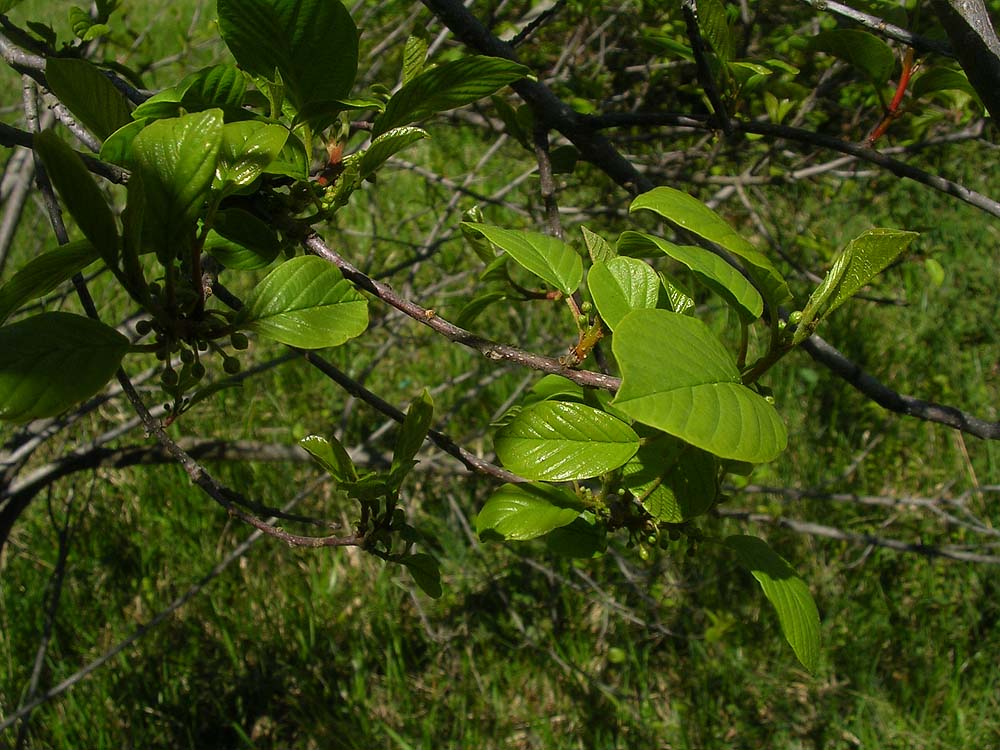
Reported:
(313, 649)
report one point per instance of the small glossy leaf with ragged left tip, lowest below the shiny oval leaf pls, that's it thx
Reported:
(525, 511)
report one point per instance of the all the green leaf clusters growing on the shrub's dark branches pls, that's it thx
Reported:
(221, 180)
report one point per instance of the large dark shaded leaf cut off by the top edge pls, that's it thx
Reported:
(312, 43)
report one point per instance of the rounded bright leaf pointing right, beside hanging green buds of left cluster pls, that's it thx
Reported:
(306, 302)
